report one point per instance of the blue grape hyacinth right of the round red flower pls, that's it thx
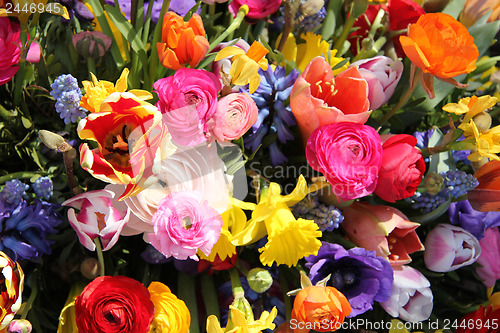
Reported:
(456, 184)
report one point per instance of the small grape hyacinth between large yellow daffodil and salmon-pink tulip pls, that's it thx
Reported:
(328, 218)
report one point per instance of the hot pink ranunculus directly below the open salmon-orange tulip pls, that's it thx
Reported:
(349, 156)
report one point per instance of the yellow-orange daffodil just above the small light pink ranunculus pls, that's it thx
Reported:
(245, 66)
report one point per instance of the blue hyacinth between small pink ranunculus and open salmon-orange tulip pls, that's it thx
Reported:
(275, 116)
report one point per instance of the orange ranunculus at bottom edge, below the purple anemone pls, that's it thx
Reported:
(322, 309)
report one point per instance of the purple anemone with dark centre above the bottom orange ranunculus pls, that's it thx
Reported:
(357, 273)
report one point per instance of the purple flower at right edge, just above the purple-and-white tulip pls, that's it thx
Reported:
(462, 214)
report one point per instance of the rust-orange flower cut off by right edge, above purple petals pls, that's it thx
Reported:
(486, 196)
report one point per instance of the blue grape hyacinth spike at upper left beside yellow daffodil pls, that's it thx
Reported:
(67, 94)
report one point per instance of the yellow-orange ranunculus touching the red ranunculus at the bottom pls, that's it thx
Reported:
(171, 313)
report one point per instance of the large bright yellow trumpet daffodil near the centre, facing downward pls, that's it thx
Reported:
(289, 239)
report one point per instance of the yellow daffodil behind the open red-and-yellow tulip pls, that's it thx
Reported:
(97, 90)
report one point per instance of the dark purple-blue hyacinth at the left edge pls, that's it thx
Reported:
(24, 228)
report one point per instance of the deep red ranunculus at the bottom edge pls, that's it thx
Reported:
(114, 304)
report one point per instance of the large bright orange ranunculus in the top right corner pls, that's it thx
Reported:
(440, 46)
